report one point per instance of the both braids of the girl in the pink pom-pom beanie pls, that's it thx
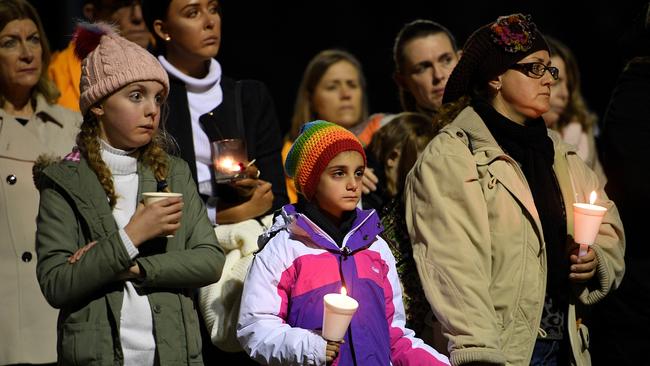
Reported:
(153, 155)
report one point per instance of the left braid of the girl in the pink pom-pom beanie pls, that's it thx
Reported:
(88, 143)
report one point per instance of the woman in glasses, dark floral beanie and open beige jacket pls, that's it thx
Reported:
(489, 211)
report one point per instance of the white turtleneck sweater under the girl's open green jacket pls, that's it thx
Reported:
(136, 321)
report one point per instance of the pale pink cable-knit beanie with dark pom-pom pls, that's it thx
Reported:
(111, 62)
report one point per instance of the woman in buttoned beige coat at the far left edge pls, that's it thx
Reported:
(30, 125)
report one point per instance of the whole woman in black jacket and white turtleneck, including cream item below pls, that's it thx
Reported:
(204, 106)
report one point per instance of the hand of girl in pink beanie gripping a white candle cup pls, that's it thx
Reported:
(155, 219)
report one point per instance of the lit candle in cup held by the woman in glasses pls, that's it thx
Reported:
(587, 218)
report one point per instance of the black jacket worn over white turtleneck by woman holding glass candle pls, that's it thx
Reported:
(260, 131)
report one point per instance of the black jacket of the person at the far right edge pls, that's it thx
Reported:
(624, 140)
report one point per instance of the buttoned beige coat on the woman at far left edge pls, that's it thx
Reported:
(27, 322)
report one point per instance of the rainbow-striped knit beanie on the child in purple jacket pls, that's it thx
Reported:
(318, 143)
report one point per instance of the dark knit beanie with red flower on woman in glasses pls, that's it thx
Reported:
(490, 51)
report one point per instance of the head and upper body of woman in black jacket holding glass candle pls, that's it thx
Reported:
(205, 106)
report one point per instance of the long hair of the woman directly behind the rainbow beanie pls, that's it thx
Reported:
(303, 110)
